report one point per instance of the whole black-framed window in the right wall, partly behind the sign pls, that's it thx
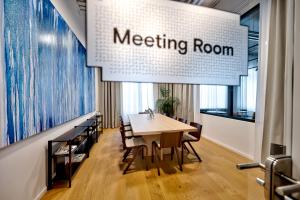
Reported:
(238, 102)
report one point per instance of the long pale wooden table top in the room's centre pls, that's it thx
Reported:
(143, 125)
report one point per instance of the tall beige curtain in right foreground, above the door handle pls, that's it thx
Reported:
(279, 90)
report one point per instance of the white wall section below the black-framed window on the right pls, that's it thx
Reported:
(236, 135)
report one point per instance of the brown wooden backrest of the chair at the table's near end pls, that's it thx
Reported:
(170, 139)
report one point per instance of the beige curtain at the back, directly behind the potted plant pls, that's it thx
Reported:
(185, 93)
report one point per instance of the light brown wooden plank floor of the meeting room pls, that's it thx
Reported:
(100, 176)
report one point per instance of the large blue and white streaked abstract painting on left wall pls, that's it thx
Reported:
(44, 78)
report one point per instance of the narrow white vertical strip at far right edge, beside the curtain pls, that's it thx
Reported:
(296, 117)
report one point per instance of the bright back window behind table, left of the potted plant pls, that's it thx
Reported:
(136, 97)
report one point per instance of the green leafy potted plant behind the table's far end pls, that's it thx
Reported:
(166, 104)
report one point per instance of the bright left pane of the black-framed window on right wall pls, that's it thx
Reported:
(213, 98)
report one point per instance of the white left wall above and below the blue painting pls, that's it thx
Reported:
(23, 165)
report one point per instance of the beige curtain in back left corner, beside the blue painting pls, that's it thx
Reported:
(109, 102)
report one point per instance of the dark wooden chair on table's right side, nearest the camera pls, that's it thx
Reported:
(191, 137)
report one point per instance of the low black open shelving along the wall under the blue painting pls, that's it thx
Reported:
(68, 151)
